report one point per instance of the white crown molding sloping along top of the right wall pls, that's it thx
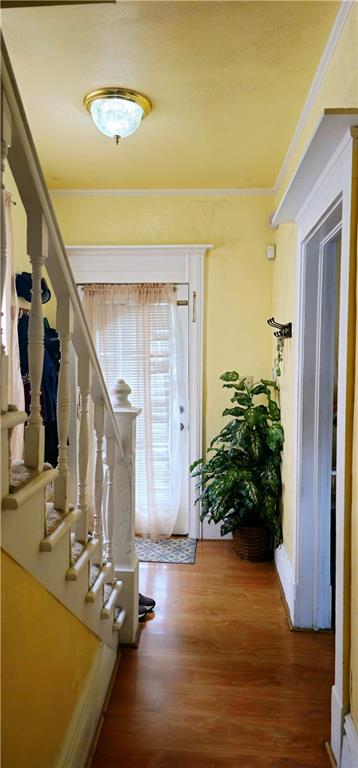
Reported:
(321, 70)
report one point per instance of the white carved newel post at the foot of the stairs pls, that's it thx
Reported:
(124, 556)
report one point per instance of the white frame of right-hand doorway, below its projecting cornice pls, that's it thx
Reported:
(333, 184)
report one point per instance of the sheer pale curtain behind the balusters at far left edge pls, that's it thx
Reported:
(10, 313)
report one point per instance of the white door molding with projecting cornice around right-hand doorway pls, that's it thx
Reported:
(323, 175)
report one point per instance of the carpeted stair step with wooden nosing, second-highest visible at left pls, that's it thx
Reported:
(25, 482)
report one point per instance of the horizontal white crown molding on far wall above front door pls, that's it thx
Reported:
(215, 192)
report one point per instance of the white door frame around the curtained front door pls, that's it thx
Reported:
(166, 264)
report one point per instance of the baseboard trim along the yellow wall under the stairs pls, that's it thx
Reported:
(80, 734)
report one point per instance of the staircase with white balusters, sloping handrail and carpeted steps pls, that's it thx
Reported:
(79, 554)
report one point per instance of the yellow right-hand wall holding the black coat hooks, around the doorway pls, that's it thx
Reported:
(339, 89)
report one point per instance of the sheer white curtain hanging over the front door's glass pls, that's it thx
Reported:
(135, 332)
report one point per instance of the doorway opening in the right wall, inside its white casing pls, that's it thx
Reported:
(321, 251)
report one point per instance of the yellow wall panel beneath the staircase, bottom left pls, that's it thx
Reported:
(47, 654)
